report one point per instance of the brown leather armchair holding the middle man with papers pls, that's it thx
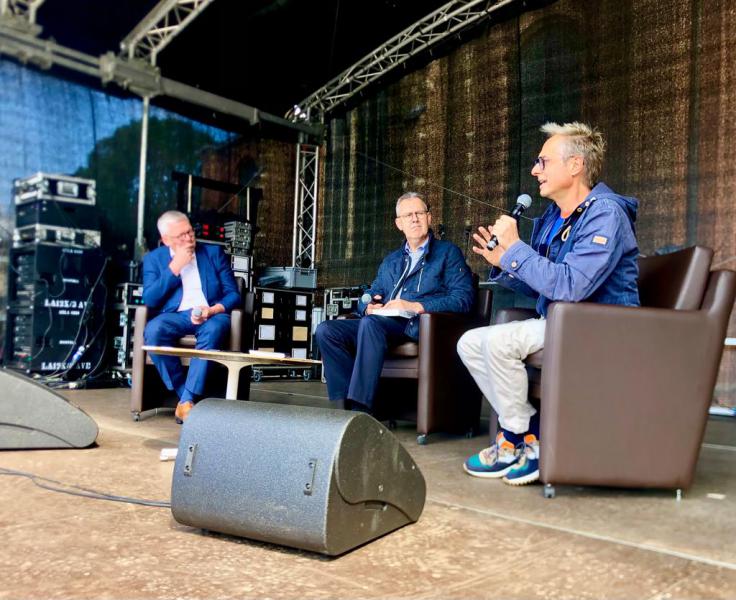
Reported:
(437, 392)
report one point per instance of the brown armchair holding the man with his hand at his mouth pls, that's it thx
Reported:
(148, 391)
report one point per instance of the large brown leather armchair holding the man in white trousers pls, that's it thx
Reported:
(624, 392)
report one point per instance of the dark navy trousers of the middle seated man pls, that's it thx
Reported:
(353, 351)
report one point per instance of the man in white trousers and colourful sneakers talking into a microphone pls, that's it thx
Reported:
(583, 249)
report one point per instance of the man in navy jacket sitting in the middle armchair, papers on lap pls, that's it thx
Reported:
(424, 275)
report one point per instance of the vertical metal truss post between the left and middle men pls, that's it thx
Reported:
(305, 205)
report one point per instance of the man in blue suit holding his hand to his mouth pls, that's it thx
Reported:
(193, 290)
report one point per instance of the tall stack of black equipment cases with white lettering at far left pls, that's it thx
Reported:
(56, 291)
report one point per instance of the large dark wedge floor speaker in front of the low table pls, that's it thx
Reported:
(313, 478)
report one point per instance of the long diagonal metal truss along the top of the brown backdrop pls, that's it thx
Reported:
(448, 20)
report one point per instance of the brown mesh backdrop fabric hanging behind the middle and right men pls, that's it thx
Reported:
(659, 79)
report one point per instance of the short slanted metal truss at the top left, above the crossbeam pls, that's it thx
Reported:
(159, 27)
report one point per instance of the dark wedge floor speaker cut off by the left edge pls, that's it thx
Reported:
(32, 416)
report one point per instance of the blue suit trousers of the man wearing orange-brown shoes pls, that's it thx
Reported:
(165, 330)
